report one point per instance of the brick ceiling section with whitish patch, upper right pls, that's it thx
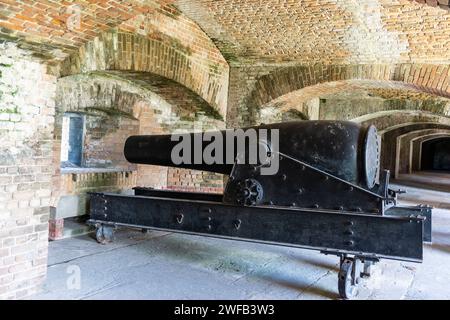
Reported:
(326, 31)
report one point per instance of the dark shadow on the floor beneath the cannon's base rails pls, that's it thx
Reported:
(196, 251)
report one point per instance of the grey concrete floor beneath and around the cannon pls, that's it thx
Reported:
(174, 266)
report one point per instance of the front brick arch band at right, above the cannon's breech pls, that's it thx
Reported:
(272, 87)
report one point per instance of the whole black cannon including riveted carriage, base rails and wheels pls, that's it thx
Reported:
(314, 184)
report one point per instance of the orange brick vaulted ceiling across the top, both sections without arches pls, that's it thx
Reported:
(251, 31)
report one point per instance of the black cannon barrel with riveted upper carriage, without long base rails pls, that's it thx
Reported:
(339, 164)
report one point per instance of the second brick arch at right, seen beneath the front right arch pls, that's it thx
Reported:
(306, 100)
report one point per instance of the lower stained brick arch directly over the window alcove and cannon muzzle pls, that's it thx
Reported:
(121, 90)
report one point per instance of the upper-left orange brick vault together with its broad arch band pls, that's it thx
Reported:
(138, 35)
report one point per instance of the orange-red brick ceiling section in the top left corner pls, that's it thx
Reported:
(51, 28)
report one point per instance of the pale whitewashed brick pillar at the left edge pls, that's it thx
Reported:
(26, 122)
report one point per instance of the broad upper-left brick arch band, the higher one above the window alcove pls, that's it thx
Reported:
(174, 48)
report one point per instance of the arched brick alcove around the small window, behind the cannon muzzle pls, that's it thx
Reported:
(115, 106)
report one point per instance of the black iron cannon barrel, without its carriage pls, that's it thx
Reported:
(344, 149)
